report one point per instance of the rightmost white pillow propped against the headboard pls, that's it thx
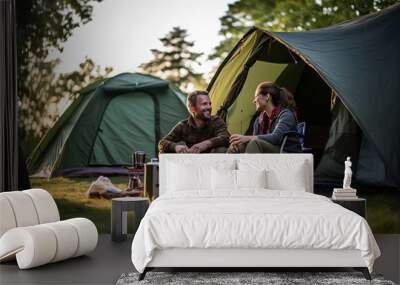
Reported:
(293, 178)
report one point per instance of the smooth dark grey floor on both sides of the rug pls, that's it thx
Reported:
(111, 259)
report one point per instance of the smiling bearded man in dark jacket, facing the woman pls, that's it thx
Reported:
(201, 132)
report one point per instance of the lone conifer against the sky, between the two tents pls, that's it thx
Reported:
(175, 62)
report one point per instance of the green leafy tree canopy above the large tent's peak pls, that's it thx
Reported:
(288, 15)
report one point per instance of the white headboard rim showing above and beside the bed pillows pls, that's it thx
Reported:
(210, 159)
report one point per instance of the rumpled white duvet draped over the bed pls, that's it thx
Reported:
(253, 218)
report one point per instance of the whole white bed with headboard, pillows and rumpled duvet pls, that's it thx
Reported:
(214, 223)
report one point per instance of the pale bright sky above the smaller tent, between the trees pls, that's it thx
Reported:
(122, 32)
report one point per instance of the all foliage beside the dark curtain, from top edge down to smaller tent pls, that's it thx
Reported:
(43, 26)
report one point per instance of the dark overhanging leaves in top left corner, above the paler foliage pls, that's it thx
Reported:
(42, 25)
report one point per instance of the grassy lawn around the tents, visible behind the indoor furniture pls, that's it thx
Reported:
(383, 206)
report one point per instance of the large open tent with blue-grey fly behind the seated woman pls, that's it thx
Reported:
(345, 79)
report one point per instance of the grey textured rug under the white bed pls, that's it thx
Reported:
(244, 278)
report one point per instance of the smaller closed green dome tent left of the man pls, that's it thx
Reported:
(110, 120)
